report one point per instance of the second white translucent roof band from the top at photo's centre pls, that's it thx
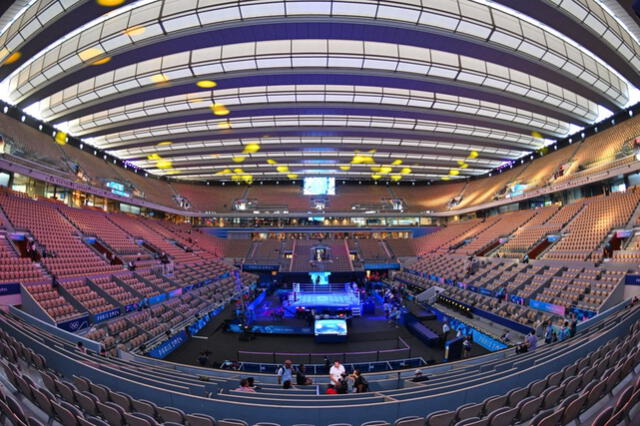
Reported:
(150, 73)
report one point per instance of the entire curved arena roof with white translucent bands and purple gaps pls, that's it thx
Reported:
(268, 89)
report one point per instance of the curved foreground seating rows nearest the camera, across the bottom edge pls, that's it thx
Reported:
(579, 378)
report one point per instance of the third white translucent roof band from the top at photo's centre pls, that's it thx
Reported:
(310, 93)
